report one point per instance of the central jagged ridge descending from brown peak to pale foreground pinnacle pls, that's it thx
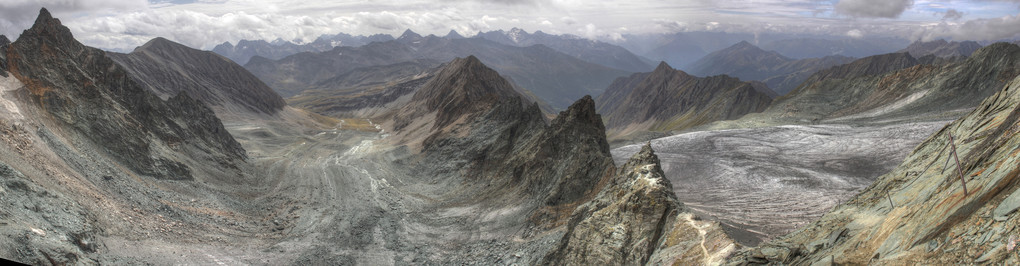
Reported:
(503, 153)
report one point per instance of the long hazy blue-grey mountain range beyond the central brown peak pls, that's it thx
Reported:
(556, 78)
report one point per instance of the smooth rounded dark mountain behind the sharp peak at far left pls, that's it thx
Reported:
(169, 69)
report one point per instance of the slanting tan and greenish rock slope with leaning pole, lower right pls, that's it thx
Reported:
(921, 212)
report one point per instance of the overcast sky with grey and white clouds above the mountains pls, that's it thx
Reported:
(203, 24)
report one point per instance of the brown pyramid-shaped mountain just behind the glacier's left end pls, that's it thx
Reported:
(672, 100)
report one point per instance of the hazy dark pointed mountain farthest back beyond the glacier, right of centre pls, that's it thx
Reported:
(749, 63)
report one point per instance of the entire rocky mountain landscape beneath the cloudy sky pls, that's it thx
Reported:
(450, 150)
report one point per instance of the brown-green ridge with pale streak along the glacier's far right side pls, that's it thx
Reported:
(897, 85)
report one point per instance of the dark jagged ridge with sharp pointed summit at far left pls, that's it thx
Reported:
(86, 91)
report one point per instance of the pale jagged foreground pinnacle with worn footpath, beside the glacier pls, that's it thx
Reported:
(636, 220)
